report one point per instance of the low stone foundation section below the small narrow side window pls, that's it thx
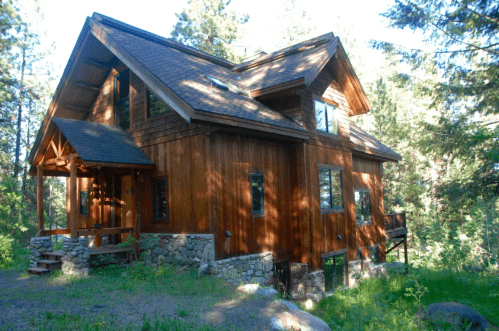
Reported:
(255, 268)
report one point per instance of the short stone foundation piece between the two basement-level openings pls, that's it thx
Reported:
(307, 285)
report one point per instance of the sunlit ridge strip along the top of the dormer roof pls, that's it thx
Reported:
(317, 41)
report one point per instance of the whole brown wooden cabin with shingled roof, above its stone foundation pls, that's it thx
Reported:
(155, 136)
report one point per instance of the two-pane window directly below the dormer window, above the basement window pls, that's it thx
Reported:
(331, 189)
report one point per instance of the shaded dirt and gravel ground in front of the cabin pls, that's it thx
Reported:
(24, 298)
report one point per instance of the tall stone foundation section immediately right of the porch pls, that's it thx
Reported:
(183, 249)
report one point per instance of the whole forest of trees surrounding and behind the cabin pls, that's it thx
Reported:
(438, 106)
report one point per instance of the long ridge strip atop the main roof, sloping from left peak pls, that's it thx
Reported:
(109, 21)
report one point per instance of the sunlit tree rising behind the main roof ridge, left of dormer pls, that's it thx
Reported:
(209, 26)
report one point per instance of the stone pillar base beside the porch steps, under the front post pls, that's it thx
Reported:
(76, 256)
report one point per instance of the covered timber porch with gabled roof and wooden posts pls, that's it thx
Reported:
(102, 165)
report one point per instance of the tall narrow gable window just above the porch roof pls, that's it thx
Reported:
(121, 99)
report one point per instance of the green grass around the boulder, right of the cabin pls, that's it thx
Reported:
(382, 303)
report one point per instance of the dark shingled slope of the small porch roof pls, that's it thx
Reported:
(101, 143)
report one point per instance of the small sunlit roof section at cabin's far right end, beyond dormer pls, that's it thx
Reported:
(364, 142)
